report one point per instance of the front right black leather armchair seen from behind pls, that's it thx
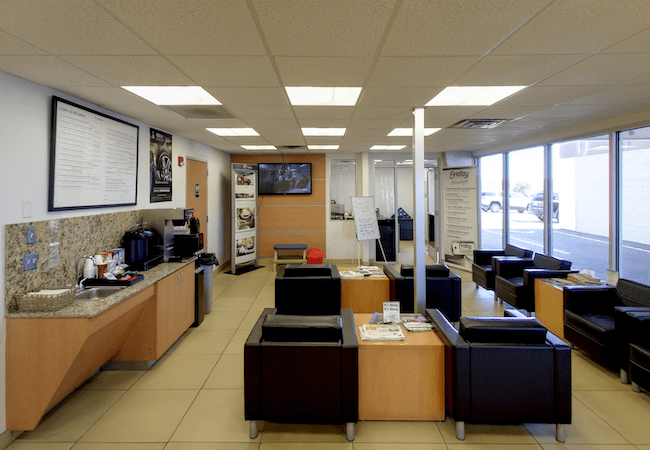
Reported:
(505, 370)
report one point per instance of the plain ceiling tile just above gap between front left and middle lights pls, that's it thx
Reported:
(230, 71)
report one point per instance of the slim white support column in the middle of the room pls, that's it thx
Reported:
(419, 249)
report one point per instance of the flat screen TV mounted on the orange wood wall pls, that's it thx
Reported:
(284, 178)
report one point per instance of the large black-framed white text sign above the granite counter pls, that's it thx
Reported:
(93, 159)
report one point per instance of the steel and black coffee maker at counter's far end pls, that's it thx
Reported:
(168, 223)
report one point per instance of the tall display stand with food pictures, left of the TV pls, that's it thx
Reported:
(244, 215)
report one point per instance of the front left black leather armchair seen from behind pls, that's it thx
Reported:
(302, 369)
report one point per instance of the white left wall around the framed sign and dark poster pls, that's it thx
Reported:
(25, 110)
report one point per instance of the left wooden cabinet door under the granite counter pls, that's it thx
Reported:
(166, 312)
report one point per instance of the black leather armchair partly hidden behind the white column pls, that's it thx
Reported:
(442, 287)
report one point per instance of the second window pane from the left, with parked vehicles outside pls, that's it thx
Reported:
(526, 182)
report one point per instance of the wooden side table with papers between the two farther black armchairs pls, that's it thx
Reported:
(364, 296)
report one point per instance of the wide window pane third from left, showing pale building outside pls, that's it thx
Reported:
(581, 203)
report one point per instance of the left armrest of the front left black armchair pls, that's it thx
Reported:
(252, 372)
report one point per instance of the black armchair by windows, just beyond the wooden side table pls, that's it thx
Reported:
(514, 279)
